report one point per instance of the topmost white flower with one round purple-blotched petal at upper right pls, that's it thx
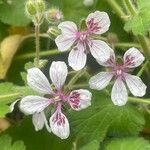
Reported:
(82, 42)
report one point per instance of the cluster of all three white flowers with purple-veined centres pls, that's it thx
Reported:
(80, 42)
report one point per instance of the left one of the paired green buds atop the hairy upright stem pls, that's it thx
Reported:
(30, 8)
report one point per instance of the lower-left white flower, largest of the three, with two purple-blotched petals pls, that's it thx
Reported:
(54, 97)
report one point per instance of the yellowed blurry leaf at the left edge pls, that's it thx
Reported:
(8, 48)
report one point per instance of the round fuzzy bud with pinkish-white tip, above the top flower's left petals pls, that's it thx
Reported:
(54, 16)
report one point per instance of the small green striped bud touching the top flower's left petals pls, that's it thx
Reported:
(53, 32)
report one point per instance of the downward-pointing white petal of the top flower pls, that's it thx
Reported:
(77, 57)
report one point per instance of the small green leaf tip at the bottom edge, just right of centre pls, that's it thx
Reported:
(94, 145)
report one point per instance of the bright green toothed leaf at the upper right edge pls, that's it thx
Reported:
(140, 23)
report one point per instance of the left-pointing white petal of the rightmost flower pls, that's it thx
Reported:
(100, 81)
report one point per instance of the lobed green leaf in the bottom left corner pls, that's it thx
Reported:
(6, 143)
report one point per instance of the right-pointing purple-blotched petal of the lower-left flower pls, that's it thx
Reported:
(80, 99)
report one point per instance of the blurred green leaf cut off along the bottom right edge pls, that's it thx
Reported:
(134, 143)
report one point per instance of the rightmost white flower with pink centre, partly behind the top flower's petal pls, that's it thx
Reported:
(132, 58)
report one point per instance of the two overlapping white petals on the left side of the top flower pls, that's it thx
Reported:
(68, 36)
